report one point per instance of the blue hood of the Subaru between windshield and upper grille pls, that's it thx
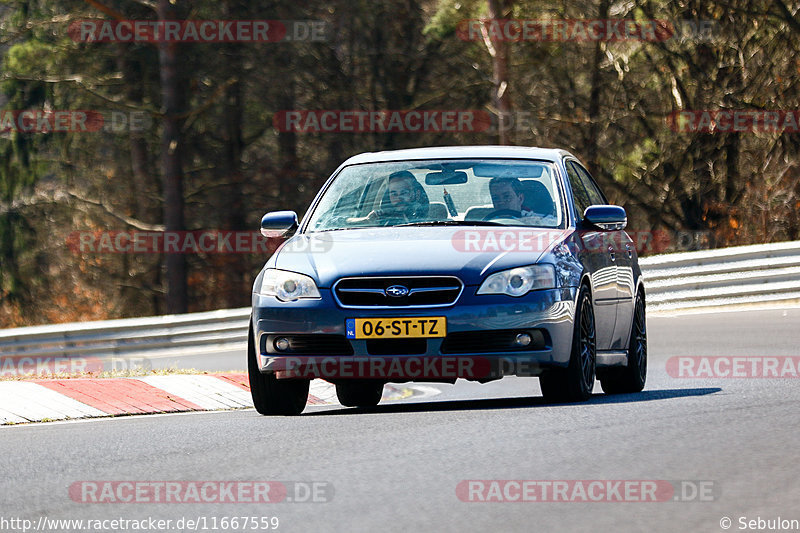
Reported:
(469, 252)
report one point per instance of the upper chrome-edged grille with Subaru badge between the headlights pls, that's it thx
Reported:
(423, 291)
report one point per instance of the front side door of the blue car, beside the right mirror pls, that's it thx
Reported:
(598, 261)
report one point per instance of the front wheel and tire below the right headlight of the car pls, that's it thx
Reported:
(575, 383)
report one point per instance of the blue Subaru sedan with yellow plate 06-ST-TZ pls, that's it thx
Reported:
(437, 264)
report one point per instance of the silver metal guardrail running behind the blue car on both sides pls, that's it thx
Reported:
(745, 274)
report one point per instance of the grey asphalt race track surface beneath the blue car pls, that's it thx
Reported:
(728, 445)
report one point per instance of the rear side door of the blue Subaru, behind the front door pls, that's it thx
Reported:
(622, 256)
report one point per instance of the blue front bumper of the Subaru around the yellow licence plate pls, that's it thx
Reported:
(547, 314)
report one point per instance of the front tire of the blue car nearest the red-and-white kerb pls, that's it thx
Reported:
(272, 396)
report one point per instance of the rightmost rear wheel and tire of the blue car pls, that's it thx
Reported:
(631, 378)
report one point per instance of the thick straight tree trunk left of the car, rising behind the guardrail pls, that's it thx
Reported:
(171, 104)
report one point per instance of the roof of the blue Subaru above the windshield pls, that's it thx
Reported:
(459, 152)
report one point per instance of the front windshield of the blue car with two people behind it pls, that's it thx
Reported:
(441, 192)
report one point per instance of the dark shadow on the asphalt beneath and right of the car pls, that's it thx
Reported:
(514, 403)
